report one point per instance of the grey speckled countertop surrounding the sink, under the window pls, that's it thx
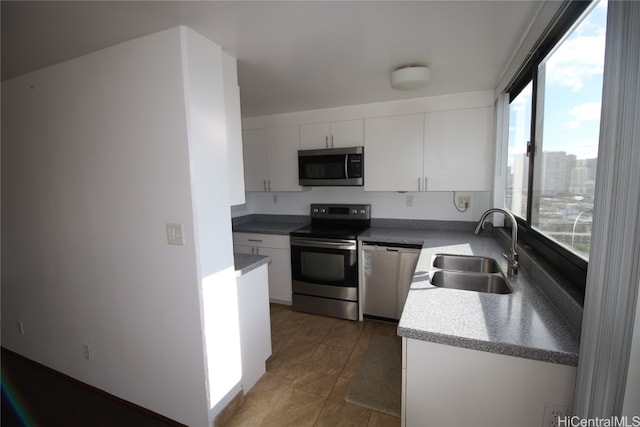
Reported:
(522, 324)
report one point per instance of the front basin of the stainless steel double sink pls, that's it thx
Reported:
(480, 282)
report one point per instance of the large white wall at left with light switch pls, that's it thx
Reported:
(96, 160)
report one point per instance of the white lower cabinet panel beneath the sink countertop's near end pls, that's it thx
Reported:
(453, 386)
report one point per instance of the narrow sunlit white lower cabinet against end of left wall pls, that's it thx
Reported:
(255, 324)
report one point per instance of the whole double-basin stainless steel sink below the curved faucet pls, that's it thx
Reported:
(469, 273)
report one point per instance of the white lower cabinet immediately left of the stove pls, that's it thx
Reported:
(278, 248)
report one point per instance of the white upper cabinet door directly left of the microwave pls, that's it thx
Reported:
(283, 144)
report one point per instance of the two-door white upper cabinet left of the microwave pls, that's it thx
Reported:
(271, 159)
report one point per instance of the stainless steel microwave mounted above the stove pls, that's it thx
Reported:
(331, 167)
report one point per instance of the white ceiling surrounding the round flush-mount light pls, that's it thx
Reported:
(292, 56)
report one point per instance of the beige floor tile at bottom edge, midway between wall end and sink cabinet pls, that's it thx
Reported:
(296, 408)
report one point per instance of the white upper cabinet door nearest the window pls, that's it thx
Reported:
(458, 150)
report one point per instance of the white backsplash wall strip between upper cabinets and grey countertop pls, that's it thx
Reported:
(429, 205)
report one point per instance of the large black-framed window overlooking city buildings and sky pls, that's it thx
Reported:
(554, 119)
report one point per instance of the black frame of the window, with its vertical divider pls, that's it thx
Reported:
(569, 265)
